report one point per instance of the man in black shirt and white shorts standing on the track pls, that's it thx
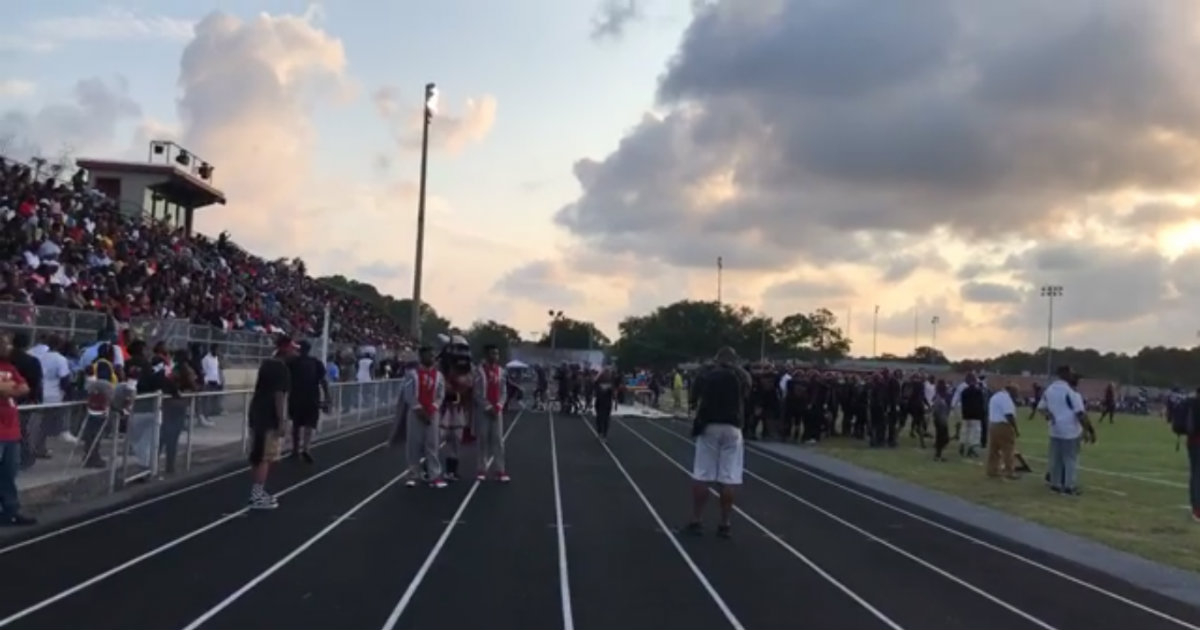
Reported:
(719, 397)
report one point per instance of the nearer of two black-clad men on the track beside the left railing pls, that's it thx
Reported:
(268, 421)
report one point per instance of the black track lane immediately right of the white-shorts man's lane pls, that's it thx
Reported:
(896, 585)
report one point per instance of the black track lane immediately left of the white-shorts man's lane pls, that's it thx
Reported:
(625, 571)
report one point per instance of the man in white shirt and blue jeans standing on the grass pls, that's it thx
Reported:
(1070, 425)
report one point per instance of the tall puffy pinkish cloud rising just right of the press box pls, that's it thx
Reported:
(248, 89)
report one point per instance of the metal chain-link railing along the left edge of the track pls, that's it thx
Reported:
(160, 437)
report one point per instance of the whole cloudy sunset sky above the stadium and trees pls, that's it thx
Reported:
(928, 159)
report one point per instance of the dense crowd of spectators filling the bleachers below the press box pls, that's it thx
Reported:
(67, 245)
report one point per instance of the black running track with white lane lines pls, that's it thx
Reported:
(583, 538)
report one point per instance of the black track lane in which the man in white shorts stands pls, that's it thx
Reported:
(761, 583)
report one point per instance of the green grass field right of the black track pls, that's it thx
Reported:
(1135, 482)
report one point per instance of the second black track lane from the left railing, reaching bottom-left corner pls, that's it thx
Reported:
(175, 586)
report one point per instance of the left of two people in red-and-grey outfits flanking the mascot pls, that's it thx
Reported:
(423, 395)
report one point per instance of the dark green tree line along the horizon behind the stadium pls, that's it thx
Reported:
(692, 331)
